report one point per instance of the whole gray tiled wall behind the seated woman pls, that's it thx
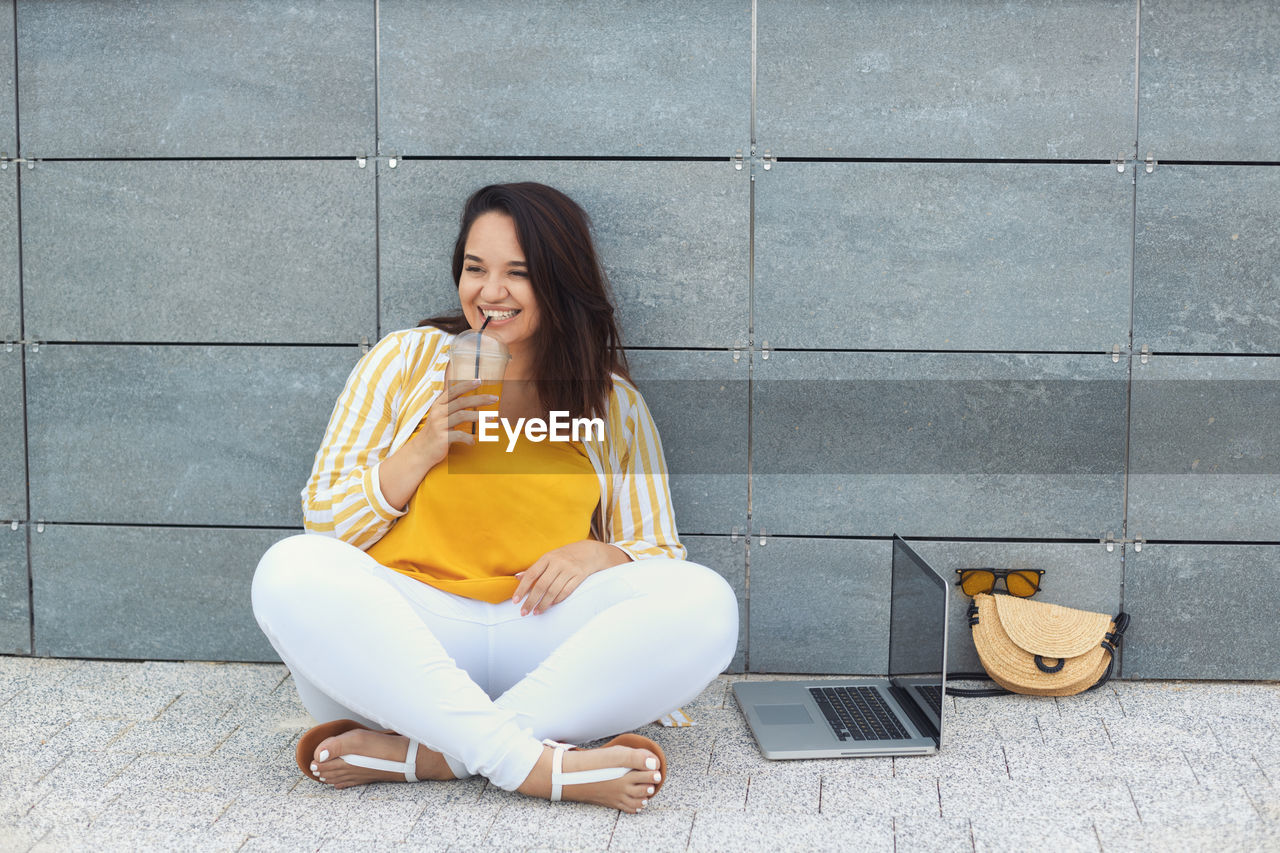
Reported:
(915, 277)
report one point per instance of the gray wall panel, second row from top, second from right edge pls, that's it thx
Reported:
(943, 257)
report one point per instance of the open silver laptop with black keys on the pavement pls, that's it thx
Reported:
(899, 715)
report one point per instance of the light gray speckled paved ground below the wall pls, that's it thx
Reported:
(124, 756)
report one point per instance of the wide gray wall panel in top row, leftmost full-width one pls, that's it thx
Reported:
(190, 80)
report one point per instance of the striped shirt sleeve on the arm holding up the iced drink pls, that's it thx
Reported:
(344, 498)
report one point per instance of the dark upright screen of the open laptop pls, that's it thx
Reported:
(918, 621)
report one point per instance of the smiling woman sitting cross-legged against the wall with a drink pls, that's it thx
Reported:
(445, 623)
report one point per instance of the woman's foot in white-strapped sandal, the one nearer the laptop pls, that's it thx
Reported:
(629, 793)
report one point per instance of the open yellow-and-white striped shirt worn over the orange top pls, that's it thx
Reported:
(388, 395)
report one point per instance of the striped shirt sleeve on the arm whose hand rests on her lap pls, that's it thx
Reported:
(641, 517)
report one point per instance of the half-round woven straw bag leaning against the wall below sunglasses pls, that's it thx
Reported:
(1044, 650)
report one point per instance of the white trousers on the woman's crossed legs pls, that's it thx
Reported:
(481, 683)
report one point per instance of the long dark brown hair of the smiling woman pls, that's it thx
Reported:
(577, 345)
